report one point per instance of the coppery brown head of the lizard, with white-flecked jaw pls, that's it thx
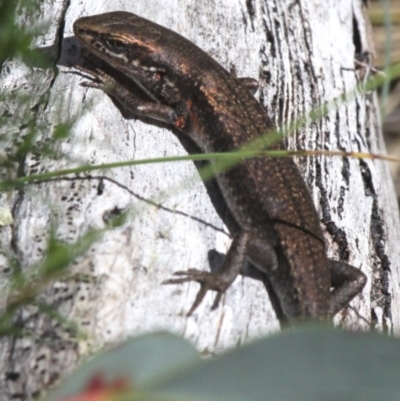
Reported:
(141, 49)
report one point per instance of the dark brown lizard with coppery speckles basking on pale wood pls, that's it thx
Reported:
(279, 229)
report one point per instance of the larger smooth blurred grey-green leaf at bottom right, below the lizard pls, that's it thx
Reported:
(302, 365)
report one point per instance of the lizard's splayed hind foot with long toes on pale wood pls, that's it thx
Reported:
(207, 281)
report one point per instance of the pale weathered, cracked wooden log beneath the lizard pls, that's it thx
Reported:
(303, 54)
